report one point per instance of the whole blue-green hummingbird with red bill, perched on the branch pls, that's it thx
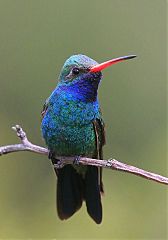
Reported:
(72, 125)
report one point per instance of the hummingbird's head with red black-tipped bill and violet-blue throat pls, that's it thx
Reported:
(81, 75)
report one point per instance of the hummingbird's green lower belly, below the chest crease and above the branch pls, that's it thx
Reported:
(69, 140)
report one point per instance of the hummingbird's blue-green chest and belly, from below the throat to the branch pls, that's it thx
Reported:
(67, 127)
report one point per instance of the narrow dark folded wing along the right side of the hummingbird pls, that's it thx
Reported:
(99, 129)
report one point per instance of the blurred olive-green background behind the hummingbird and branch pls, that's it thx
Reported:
(36, 36)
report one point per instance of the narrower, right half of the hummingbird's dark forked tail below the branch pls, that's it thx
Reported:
(92, 194)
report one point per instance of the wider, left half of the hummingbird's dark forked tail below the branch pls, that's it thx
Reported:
(69, 192)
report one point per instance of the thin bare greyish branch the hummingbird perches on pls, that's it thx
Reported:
(113, 164)
